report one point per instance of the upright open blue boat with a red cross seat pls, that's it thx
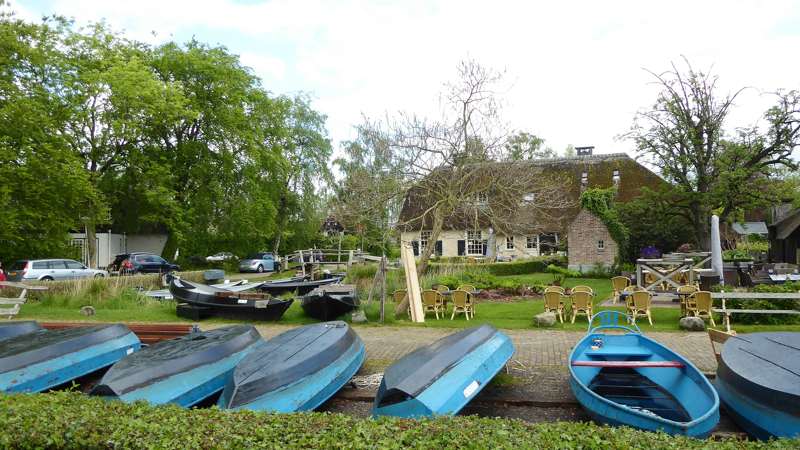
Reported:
(630, 379)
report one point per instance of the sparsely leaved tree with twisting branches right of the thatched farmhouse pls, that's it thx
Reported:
(684, 136)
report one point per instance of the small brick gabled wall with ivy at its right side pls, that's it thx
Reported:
(583, 236)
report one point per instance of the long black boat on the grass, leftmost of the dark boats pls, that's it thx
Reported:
(203, 301)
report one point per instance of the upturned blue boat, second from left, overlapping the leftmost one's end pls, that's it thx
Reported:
(185, 370)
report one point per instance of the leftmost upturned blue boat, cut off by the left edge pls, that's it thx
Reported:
(42, 359)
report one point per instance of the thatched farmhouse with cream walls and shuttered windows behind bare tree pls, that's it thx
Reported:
(468, 234)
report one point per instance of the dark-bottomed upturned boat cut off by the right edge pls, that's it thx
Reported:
(758, 381)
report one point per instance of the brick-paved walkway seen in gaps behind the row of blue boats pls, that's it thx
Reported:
(535, 348)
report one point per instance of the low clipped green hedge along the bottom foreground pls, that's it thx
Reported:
(74, 421)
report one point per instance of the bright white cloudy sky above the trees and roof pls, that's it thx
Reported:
(575, 72)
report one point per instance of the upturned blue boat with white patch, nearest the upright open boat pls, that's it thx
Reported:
(441, 378)
